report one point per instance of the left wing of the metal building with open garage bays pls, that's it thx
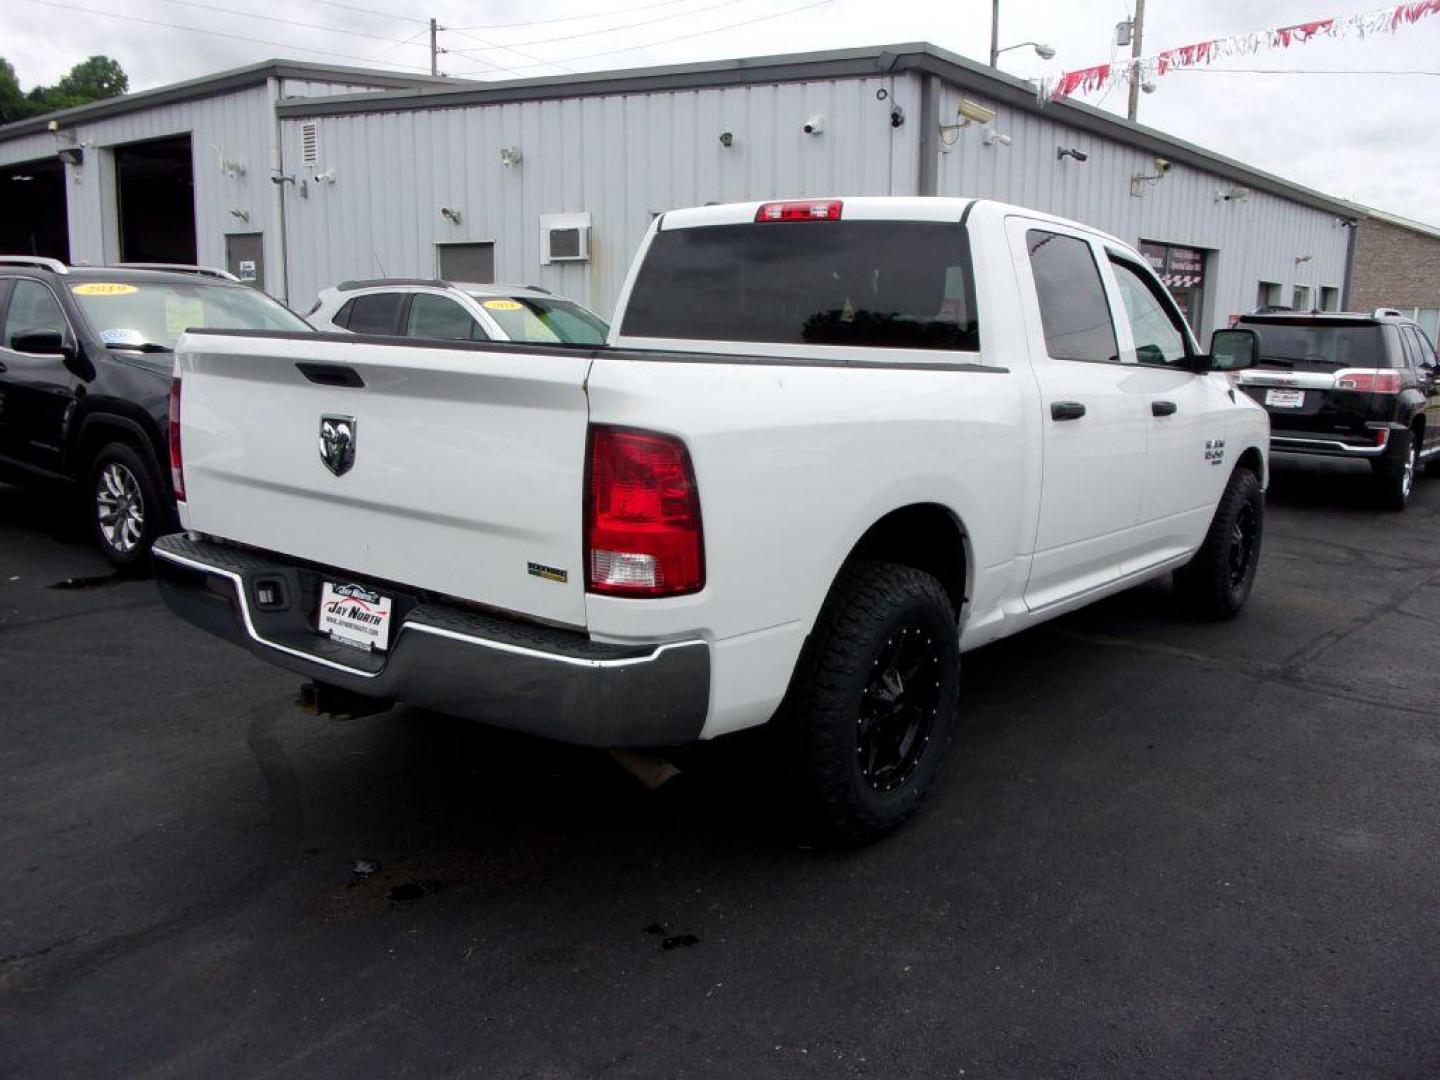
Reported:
(181, 174)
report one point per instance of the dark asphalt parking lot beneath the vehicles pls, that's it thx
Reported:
(1158, 849)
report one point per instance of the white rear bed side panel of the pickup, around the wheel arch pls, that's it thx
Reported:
(794, 464)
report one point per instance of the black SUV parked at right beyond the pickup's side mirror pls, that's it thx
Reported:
(1350, 387)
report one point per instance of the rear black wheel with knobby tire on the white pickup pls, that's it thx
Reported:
(870, 607)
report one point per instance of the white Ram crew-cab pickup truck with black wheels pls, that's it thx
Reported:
(829, 447)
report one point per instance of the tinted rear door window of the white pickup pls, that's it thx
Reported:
(1074, 310)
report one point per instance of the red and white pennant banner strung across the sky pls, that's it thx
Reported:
(1143, 70)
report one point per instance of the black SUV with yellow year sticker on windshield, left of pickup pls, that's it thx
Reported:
(86, 371)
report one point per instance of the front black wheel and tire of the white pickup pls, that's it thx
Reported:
(1216, 584)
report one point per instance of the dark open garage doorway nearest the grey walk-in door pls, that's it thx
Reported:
(155, 185)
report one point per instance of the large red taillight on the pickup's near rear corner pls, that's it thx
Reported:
(642, 516)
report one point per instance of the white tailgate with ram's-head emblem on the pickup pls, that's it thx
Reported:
(467, 473)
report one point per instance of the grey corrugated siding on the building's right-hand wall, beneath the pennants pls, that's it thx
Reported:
(1258, 240)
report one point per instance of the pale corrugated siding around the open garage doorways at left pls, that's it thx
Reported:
(237, 125)
